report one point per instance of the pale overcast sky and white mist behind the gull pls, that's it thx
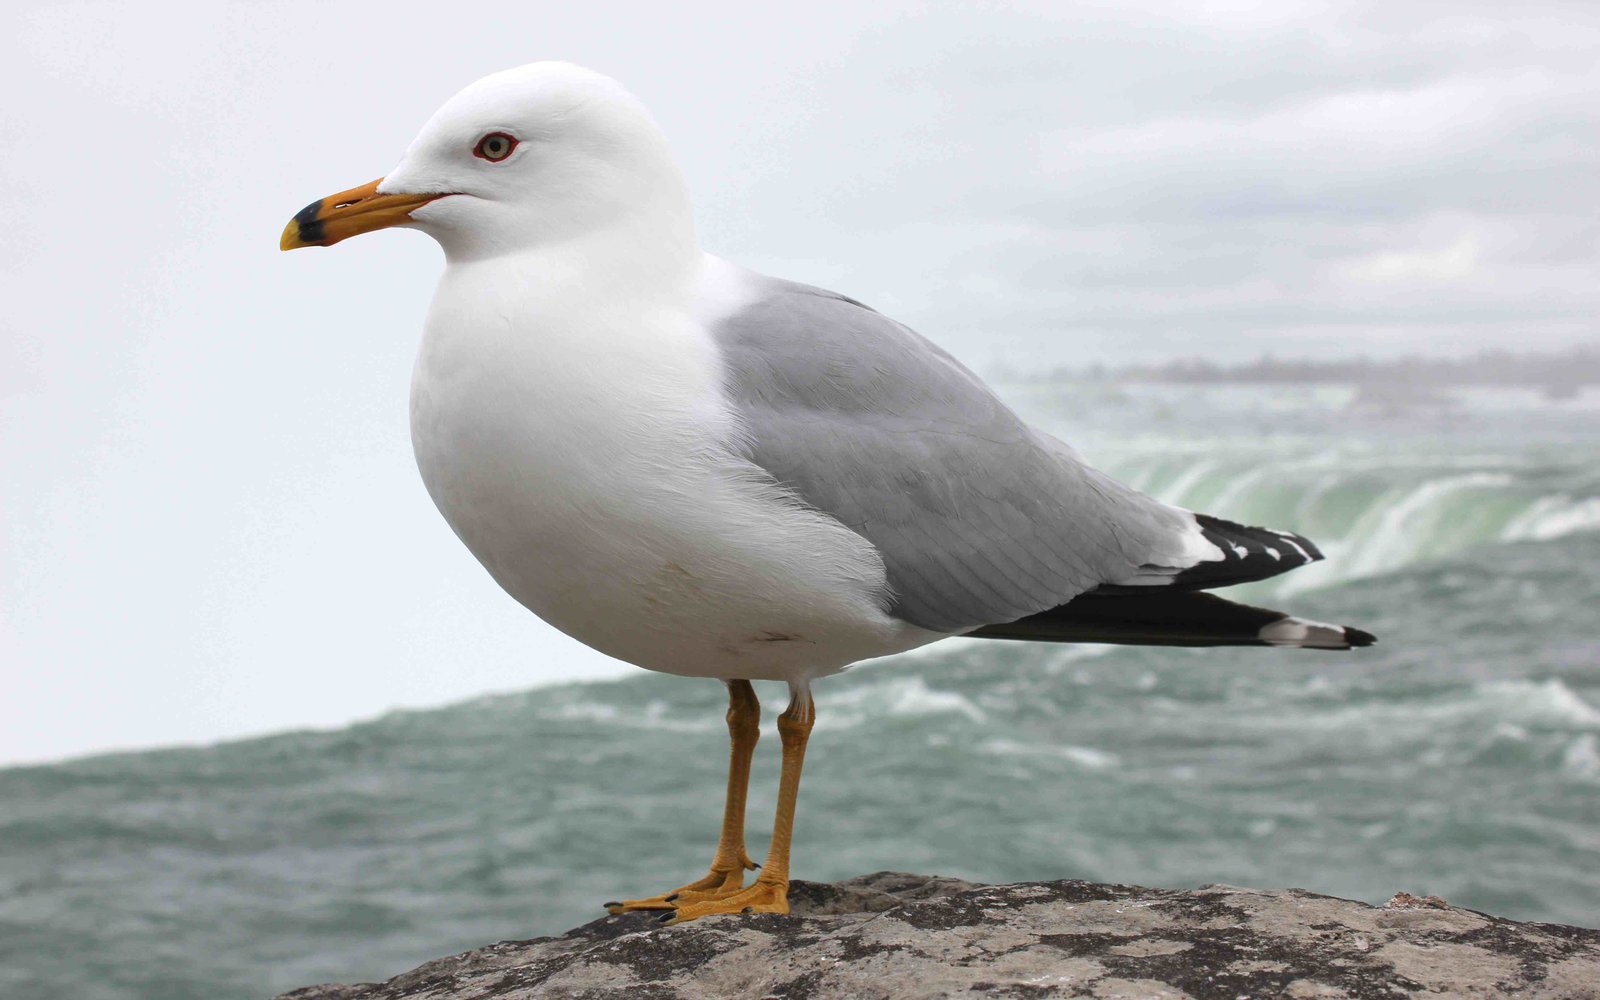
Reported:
(210, 519)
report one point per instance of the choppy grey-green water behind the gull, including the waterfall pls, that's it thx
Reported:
(1458, 758)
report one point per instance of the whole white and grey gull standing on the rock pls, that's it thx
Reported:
(713, 473)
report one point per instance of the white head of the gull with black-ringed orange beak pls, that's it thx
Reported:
(543, 153)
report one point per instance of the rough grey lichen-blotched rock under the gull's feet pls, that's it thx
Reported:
(895, 935)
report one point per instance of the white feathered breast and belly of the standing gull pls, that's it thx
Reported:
(583, 450)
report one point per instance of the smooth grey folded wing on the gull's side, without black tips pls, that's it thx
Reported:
(978, 518)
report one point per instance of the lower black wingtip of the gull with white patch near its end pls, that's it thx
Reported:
(1167, 618)
